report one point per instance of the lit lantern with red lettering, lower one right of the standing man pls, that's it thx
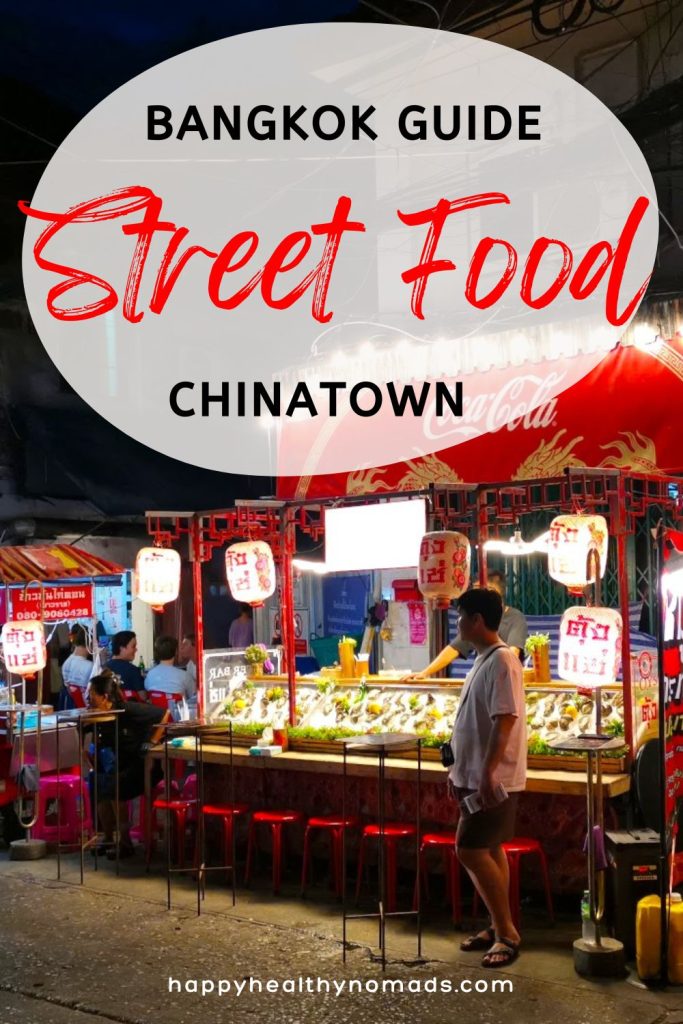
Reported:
(590, 647)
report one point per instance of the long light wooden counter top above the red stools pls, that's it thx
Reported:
(572, 784)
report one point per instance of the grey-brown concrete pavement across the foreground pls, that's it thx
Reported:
(106, 952)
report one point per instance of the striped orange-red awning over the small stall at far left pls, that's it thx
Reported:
(60, 562)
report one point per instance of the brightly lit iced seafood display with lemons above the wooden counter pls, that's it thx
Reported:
(329, 708)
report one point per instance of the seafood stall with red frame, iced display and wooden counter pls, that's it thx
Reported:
(327, 705)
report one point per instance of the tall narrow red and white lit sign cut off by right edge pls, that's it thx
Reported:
(672, 610)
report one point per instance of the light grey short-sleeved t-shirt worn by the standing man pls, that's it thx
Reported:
(494, 687)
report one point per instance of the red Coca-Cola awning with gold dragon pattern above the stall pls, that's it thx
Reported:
(614, 418)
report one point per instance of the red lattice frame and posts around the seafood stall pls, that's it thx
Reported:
(485, 510)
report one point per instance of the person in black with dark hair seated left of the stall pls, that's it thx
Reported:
(140, 724)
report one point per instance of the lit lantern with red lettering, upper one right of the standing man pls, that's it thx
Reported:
(573, 539)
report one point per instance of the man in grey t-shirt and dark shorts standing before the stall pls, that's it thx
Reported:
(490, 748)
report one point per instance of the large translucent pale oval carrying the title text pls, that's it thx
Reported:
(578, 184)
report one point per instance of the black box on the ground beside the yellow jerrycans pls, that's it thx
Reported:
(632, 874)
